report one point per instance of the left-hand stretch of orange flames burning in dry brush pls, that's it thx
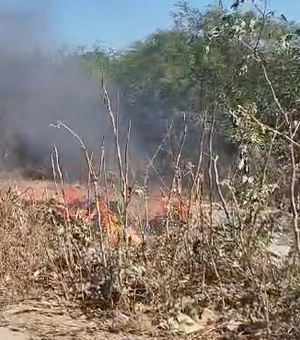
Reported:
(72, 204)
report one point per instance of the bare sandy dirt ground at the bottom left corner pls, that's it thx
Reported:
(35, 321)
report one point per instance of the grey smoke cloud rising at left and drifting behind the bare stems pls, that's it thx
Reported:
(37, 90)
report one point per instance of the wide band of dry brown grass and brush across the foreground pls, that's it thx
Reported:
(193, 278)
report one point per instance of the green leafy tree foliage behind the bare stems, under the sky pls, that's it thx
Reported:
(206, 63)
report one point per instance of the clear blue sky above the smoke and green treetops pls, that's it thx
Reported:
(117, 23)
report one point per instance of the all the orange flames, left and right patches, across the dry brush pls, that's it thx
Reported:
(73, 205)
